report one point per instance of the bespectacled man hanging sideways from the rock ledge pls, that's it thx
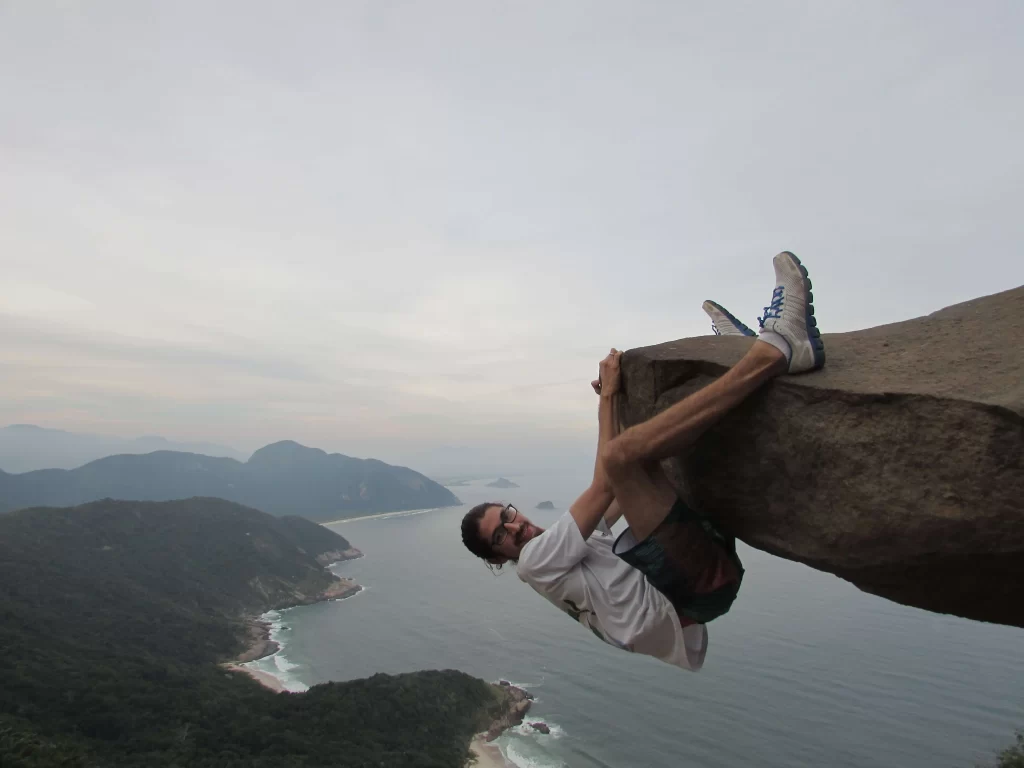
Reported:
(655, 588)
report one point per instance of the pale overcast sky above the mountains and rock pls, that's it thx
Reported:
(411, 231)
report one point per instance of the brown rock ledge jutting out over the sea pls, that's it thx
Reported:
(899, 467)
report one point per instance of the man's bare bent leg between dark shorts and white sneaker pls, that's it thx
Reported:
(646, 503)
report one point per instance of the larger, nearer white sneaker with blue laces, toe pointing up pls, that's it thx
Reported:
(789, 321)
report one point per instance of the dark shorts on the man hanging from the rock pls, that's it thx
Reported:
(690, 562)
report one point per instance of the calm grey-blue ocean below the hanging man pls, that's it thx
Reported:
(805, 671)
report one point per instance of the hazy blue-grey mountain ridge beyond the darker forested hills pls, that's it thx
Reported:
(284, 479)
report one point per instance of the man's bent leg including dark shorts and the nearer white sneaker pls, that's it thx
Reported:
(680, 553)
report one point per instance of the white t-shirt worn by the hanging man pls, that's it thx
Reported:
(585, 579)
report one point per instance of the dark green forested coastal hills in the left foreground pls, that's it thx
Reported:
(114, 617)
